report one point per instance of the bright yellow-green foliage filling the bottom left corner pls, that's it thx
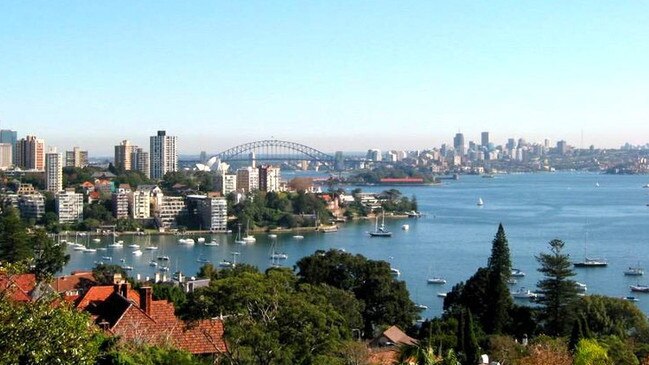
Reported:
(43, 333)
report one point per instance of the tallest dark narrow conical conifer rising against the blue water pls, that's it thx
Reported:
(499, 266)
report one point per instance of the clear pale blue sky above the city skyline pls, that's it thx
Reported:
(334, 75)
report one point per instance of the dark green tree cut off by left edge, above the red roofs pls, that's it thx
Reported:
(14, 241)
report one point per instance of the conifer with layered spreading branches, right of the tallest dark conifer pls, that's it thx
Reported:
(559, 293)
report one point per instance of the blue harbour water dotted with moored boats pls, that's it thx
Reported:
(454, 238)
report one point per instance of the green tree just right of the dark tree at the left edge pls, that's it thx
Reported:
(49, 257)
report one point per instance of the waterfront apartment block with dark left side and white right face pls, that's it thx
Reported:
(210, 211)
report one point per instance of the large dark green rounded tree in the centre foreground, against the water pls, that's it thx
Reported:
(386, 301)
